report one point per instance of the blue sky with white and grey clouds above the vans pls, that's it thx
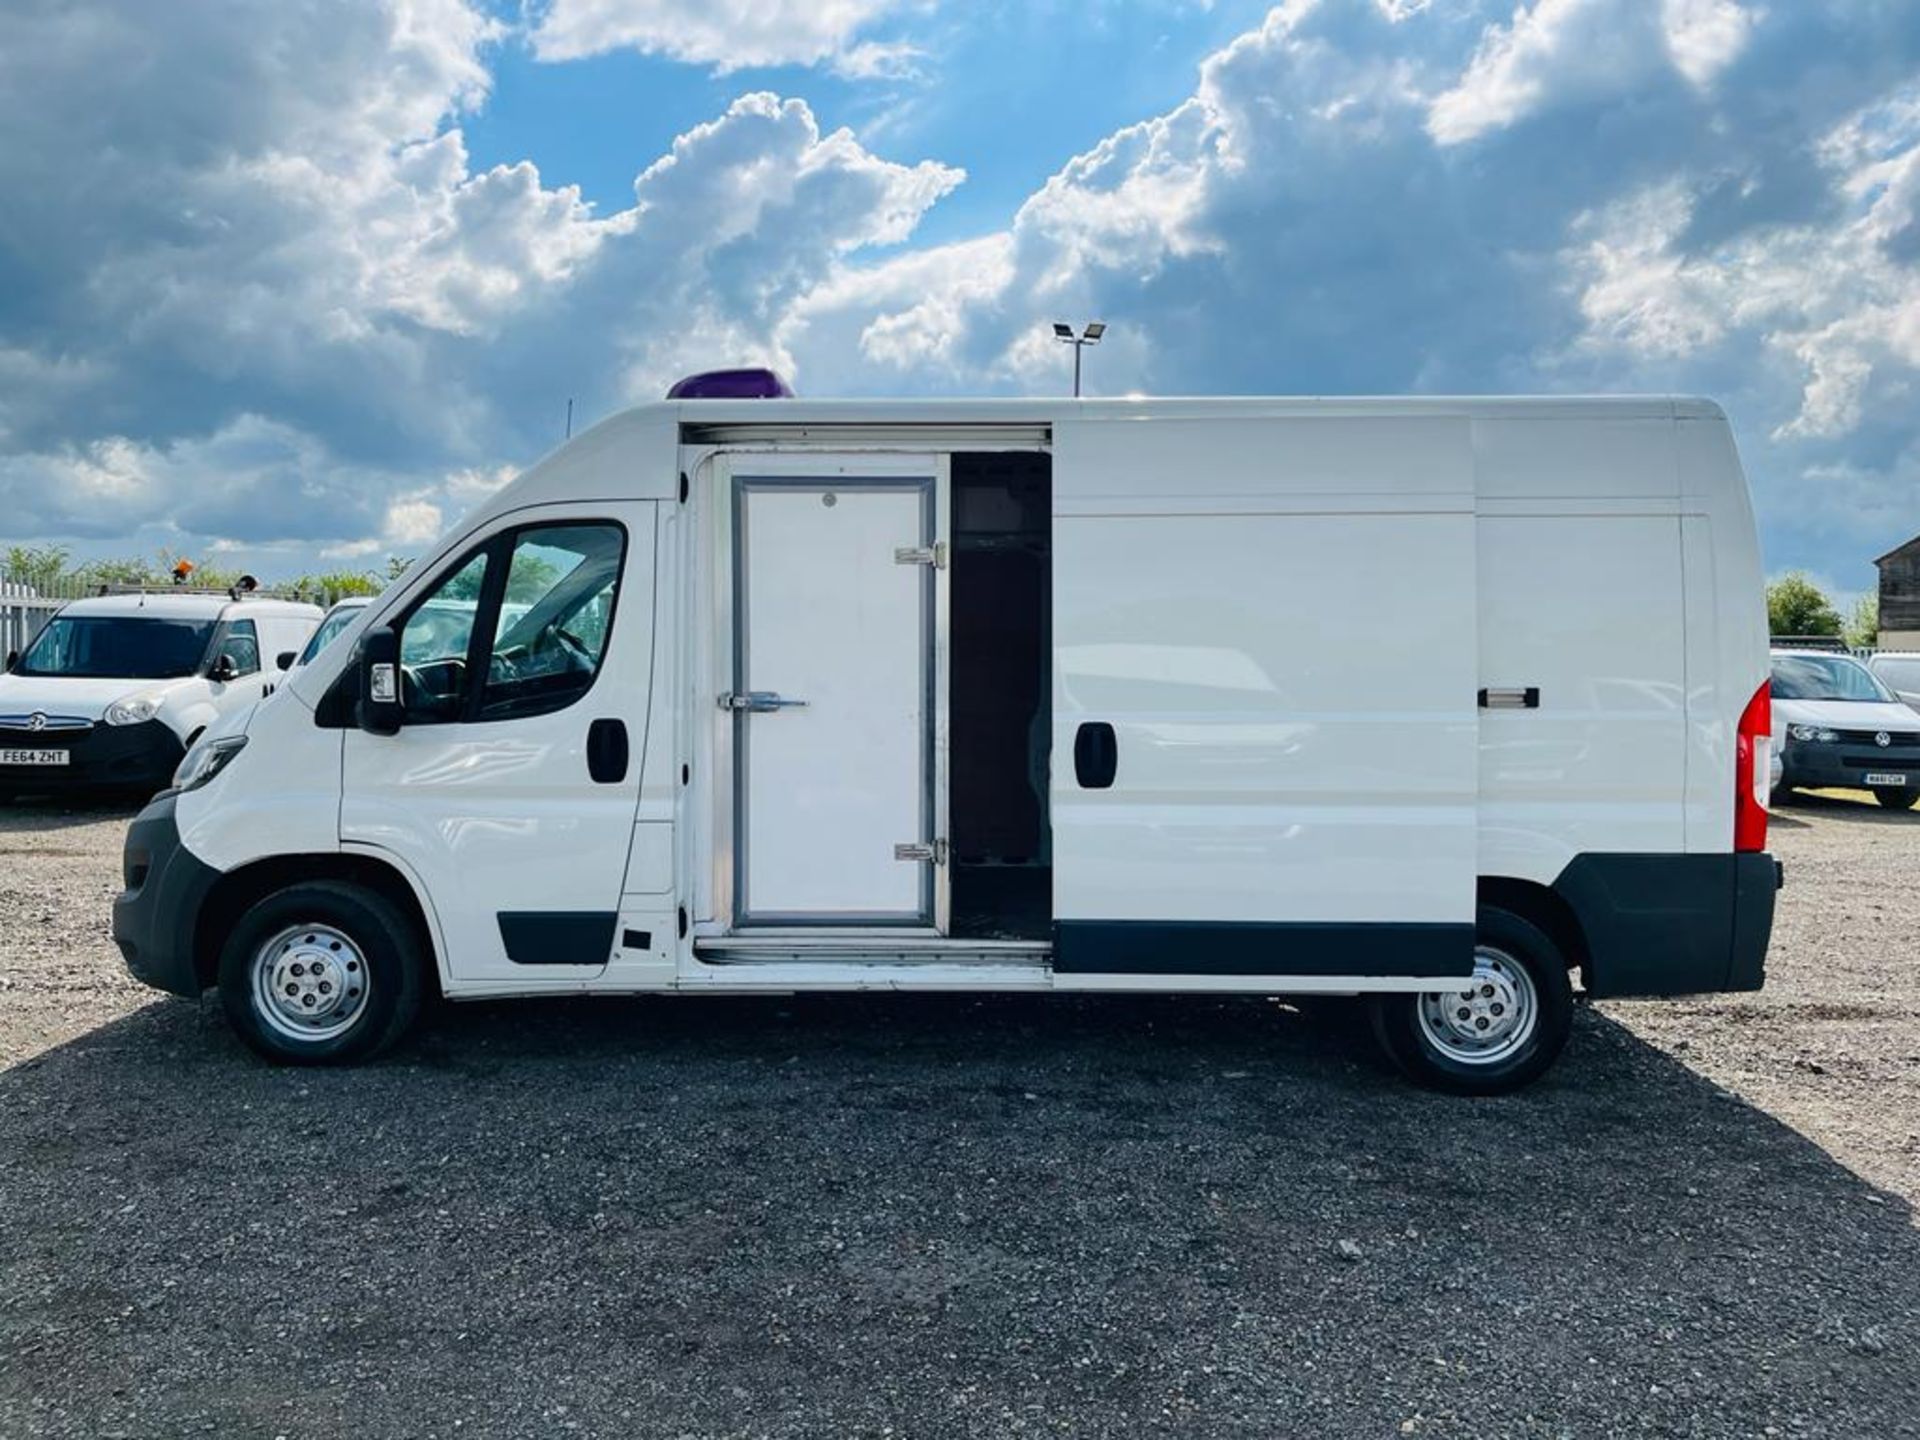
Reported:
(297, 283)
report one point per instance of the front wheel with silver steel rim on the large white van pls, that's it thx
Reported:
(345, 953)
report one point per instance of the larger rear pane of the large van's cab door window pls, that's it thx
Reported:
(554, 619)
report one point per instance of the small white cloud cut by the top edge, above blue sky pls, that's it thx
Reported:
(723, 34)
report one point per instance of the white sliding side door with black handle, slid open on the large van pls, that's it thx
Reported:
(1278, 621)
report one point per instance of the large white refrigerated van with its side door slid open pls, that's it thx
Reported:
(1426, 700)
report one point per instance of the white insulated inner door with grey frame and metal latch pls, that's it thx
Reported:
(832, 700)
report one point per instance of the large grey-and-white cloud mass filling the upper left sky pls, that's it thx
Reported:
(302, 245)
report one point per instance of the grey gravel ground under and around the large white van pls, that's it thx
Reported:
(959, 1216)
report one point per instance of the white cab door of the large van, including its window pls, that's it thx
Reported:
(512, 788)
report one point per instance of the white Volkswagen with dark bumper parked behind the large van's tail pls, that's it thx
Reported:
(1838, 725)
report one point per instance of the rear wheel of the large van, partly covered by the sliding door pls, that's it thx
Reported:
(1522, 967)
